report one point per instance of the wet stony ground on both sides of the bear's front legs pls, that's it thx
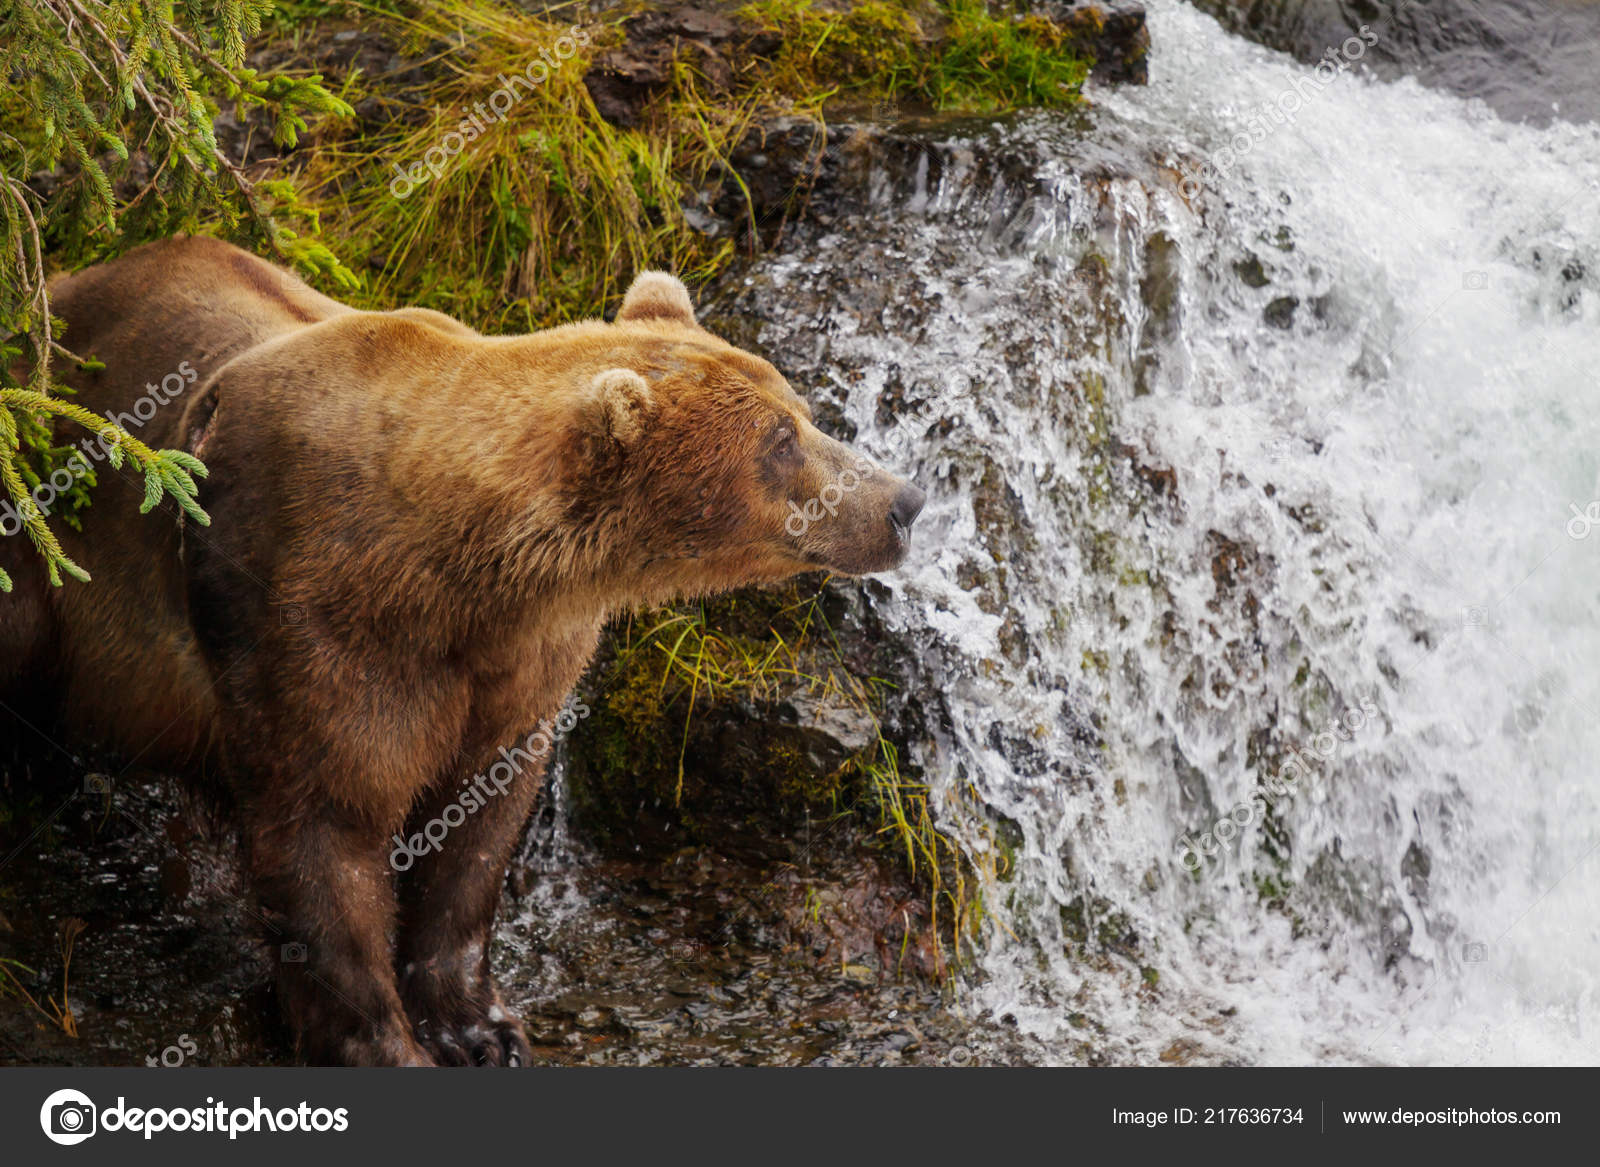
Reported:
(694, 958)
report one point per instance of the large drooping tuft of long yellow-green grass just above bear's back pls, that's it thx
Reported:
(543, 217)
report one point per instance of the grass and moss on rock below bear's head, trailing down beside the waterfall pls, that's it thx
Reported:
(674, 668)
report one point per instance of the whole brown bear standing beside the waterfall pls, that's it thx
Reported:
(418, 534)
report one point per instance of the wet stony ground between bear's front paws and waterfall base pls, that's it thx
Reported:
(737, 963)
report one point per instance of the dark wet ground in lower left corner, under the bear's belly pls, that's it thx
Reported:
(159, 966)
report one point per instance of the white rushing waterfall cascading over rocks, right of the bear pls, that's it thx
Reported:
(1225, 449)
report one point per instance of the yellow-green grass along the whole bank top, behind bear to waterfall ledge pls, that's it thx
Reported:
(546, 215)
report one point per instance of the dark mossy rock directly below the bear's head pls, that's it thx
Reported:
(700, 723)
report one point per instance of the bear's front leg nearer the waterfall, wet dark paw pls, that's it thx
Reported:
(462, 840)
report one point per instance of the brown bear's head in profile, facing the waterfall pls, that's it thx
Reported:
(706, 467)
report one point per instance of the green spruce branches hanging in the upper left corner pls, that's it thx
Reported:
(97, 87)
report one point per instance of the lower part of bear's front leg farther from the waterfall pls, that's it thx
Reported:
(324, 880)
